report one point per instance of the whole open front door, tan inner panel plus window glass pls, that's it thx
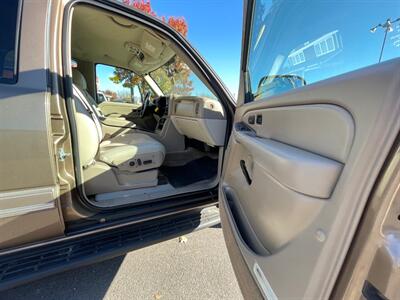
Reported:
(317, 116)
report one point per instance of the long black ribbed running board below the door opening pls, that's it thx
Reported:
(32, 264)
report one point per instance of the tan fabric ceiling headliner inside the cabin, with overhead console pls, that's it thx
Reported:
(102, 37)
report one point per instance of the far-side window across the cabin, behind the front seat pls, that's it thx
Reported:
(120, 85)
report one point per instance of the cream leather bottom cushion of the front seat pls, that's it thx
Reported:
(132, 152)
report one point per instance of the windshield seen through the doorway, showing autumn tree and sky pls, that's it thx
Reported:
(175, 77)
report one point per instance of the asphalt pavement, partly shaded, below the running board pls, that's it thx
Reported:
(196, 266)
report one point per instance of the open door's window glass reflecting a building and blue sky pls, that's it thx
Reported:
(289, 49)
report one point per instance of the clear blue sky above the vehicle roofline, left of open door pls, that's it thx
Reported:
(214, 29)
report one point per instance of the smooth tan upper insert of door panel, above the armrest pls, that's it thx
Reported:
(324, 129)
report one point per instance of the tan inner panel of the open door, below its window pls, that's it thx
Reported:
(298, 171)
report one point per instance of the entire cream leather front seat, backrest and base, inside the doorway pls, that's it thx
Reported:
(111, 164)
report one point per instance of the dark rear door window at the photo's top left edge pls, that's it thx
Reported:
(9, 30)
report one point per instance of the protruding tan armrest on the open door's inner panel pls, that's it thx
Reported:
(299, 170)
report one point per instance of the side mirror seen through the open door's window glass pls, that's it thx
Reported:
(274, 84)
